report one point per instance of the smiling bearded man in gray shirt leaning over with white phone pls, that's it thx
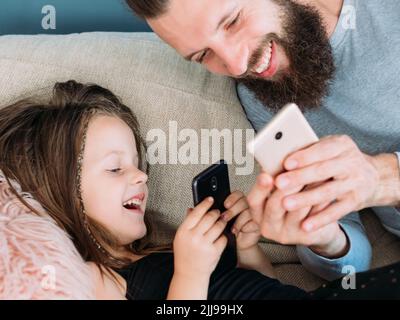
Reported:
(338, 60)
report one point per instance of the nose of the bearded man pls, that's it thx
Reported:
(234, 59)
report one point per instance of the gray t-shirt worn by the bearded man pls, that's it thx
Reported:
(364, 99)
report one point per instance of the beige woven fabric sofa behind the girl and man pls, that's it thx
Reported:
(160, 87)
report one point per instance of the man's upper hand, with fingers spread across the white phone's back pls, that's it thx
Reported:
(349, 180)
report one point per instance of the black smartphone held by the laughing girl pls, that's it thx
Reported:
(214, 182)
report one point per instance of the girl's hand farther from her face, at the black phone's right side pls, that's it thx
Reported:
(246, 230)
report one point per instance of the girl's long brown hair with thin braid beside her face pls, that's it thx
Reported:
(40, 145)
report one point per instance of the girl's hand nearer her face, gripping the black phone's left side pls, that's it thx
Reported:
(199, 242)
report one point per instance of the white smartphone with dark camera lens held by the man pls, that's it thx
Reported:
(286, 133)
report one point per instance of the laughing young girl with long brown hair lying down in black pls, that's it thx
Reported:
(81, 156)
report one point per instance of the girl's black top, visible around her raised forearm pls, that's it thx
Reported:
(149, 279)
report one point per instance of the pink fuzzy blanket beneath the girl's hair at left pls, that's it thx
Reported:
(37, 258)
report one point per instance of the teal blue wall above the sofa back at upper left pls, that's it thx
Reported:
(71, 16)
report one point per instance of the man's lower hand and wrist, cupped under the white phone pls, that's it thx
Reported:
(285, 227)
